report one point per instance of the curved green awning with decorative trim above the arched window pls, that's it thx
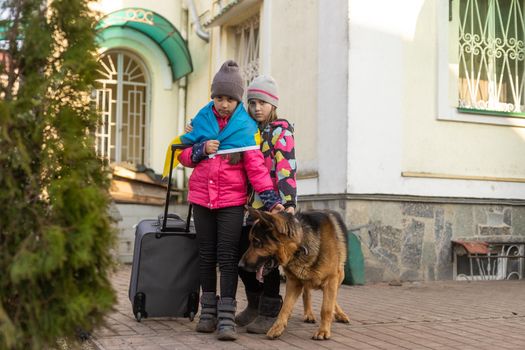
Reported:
(159, 30)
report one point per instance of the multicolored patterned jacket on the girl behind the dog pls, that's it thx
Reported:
(278, 148)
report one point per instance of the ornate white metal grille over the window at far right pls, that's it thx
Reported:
(491, 55)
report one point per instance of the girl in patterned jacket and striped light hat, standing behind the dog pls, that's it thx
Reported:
(278, 147)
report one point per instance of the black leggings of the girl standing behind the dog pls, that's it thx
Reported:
(270, 287)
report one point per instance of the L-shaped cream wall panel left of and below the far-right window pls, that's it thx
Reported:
(436, 146)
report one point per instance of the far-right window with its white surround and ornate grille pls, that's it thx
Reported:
(481, 61)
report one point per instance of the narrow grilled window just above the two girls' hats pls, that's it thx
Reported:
(247, 38)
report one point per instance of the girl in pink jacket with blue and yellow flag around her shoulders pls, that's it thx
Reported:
(218, 190)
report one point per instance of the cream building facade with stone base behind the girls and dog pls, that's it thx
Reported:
(409, 116)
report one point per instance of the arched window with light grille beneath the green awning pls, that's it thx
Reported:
(121, 98)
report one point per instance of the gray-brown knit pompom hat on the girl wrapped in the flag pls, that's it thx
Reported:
(228, 81)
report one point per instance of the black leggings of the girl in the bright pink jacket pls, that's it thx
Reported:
(218, 235)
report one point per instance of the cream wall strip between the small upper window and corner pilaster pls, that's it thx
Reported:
(293, 45)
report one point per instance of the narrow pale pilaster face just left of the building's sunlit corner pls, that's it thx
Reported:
(332, 92)
